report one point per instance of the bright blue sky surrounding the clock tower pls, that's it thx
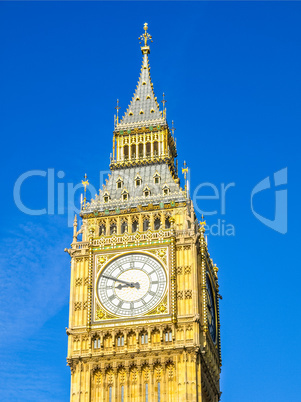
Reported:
(231, 75)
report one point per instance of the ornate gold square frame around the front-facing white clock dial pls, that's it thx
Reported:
(110, 257)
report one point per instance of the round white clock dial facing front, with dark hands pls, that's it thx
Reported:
(131, 285)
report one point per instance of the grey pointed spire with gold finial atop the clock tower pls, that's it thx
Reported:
(143, 108)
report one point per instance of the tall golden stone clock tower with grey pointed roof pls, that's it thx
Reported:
(144, 295)
